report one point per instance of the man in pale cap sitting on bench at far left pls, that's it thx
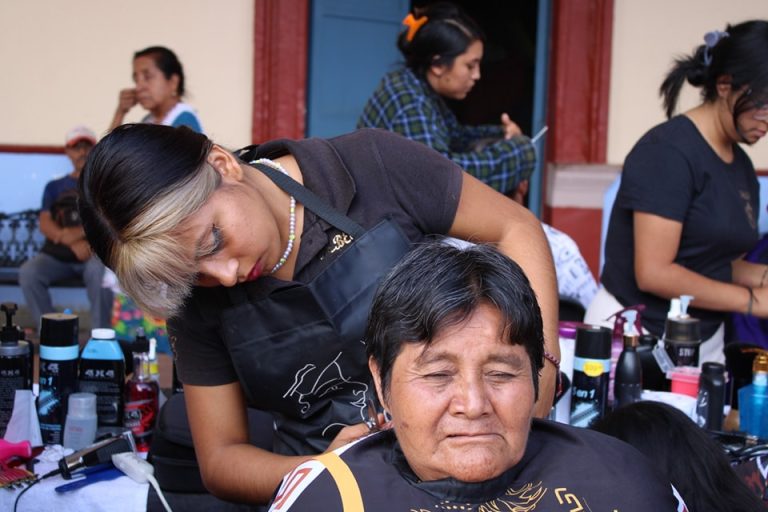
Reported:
(66, 253)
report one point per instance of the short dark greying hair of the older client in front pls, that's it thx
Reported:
(438, 285)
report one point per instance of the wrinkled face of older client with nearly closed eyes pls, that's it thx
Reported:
(462, 406)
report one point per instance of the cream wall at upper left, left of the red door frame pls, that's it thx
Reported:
(63, 63)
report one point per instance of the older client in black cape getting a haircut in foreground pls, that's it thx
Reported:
(455, 347)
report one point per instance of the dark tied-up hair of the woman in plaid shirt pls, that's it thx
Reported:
(447, 34)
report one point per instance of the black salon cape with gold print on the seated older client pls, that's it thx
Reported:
(563, 468)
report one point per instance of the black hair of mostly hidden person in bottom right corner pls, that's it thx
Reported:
(692, 461)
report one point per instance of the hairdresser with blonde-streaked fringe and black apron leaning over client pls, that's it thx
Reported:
(265, 262)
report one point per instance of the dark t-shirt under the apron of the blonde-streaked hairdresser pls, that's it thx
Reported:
(366, 175)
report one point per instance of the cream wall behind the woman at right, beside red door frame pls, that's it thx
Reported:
(647, 36)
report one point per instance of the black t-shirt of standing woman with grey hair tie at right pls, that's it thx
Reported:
(672, 172)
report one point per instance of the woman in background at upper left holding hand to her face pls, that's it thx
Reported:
(159, 80)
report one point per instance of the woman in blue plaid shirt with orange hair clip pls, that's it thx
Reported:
(443, 48)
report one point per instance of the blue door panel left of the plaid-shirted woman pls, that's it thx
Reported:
(351, 46)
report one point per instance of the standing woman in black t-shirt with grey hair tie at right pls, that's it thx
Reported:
(686, 209)
